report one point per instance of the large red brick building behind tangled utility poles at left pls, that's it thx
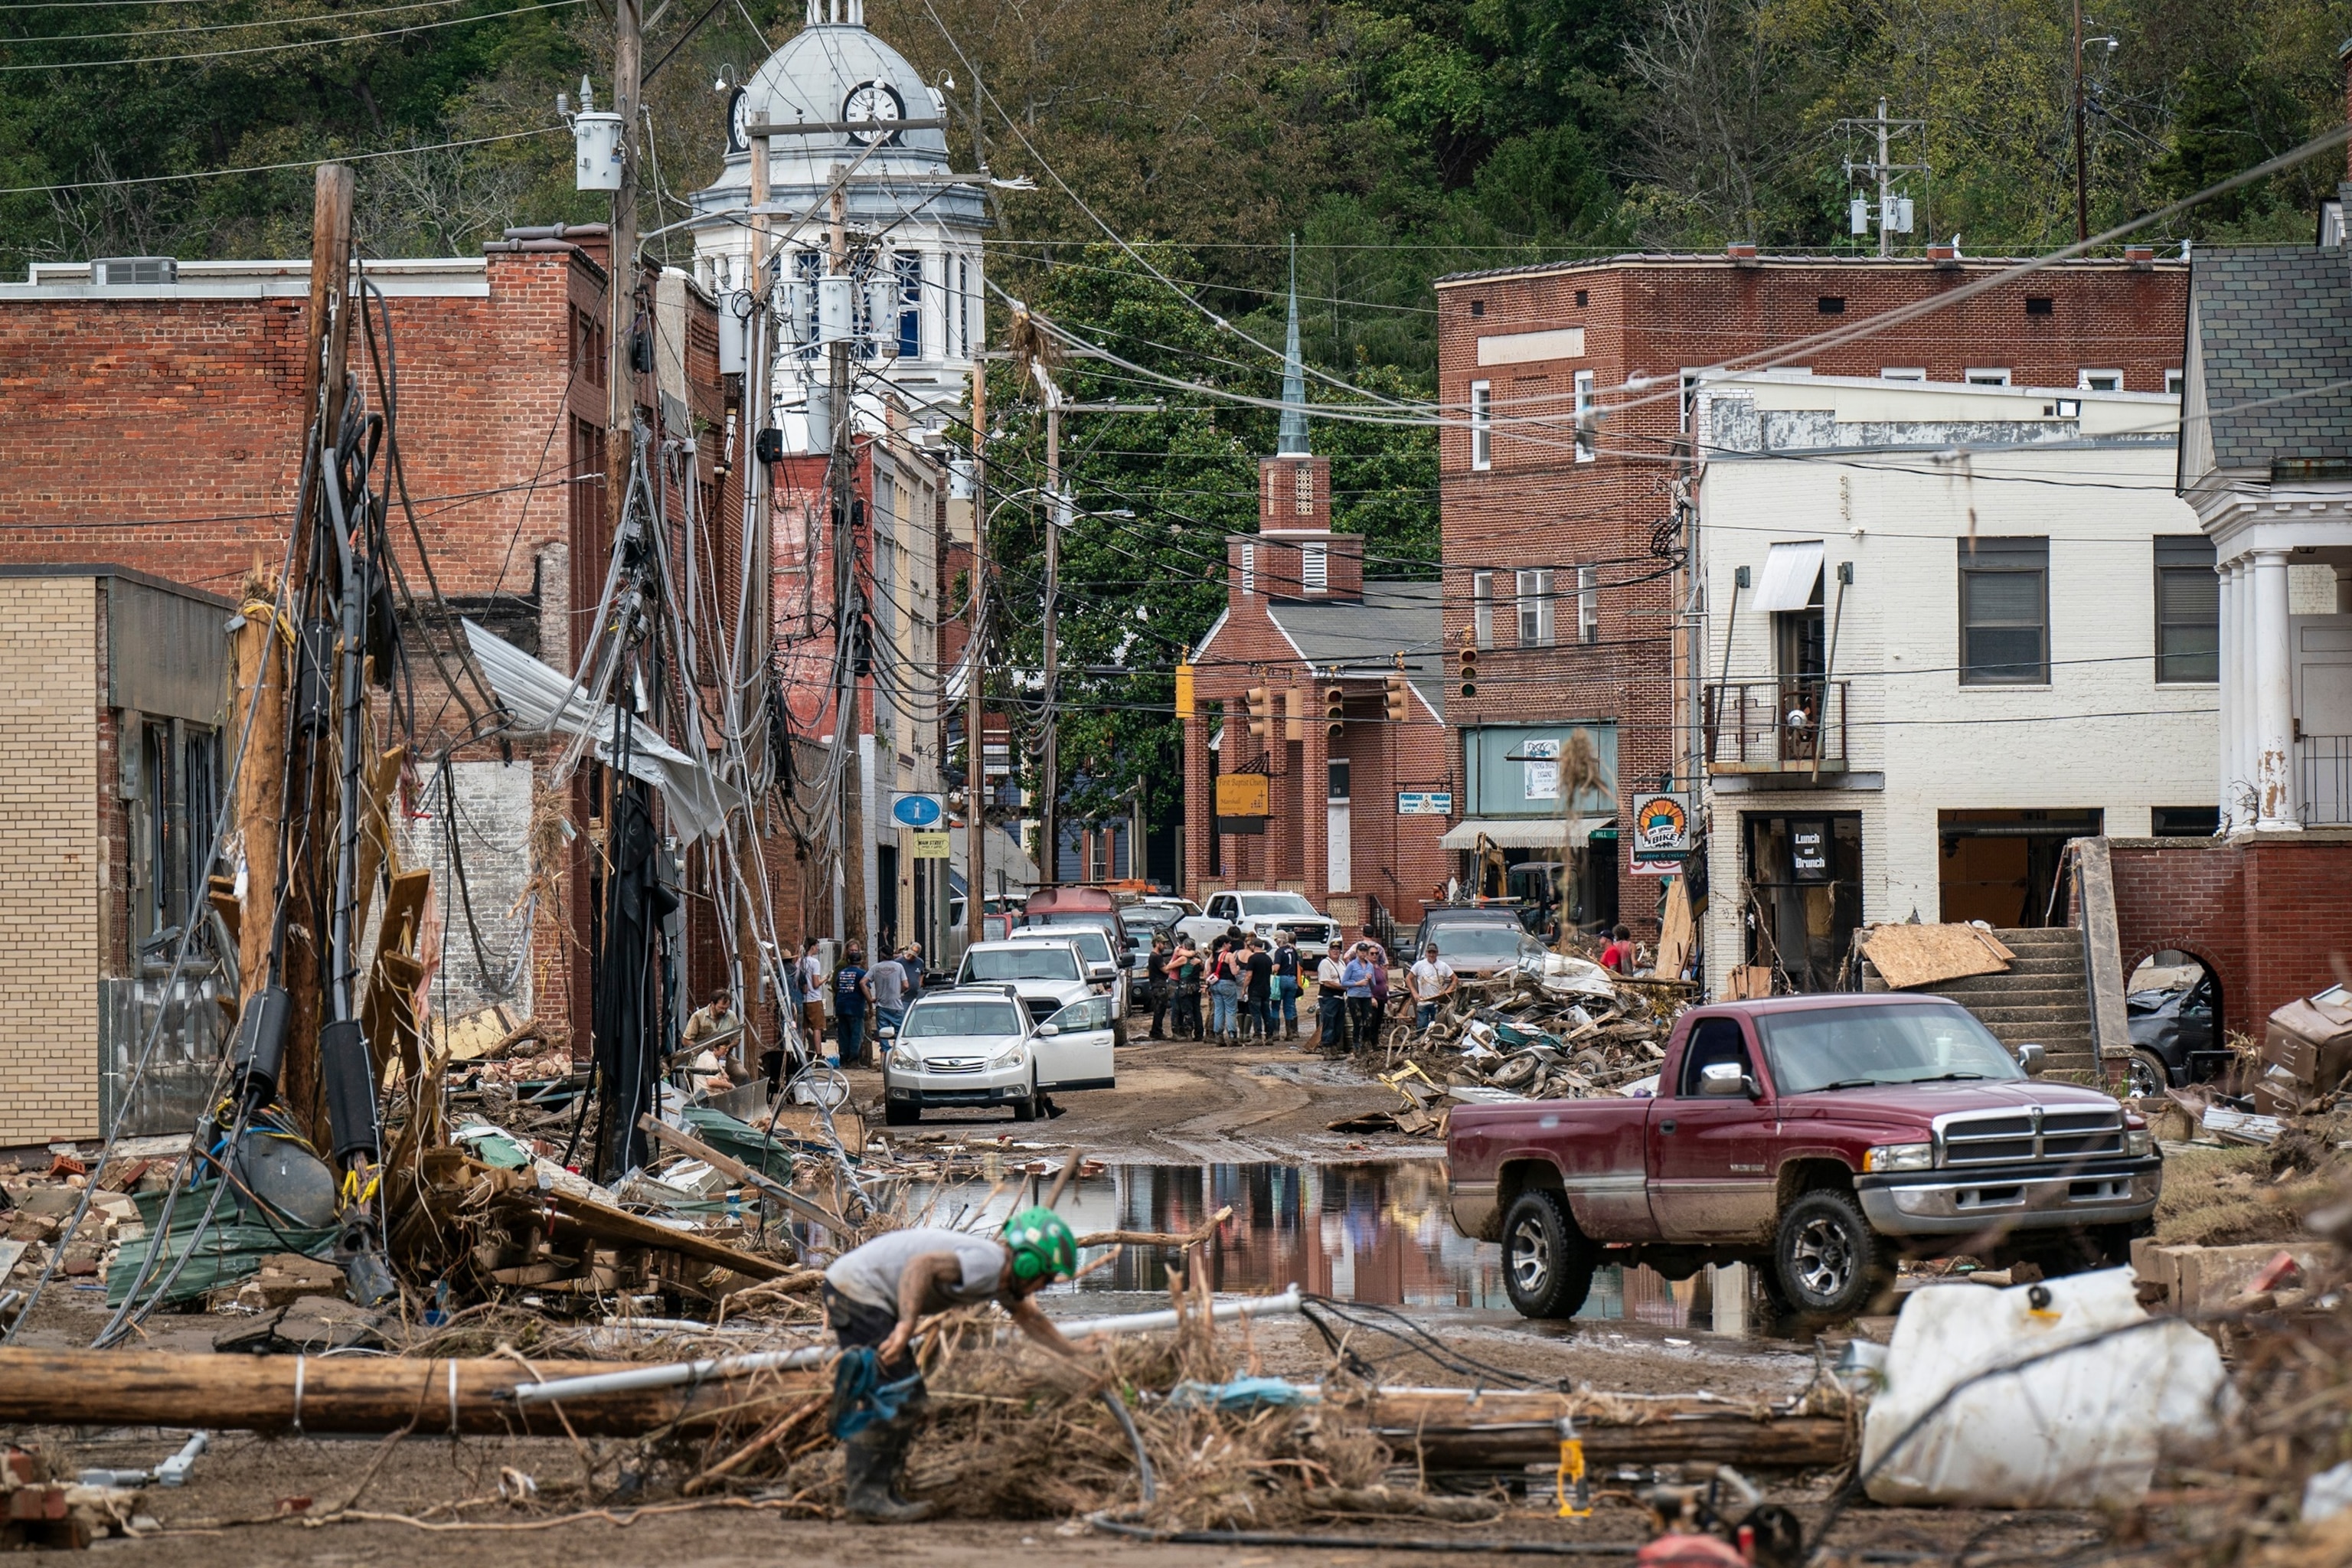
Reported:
(152, 420)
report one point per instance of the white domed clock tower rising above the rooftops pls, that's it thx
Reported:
(914, 222)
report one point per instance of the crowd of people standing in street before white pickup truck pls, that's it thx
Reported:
(1243, 986)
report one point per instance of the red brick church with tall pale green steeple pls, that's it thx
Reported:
(1299, 626)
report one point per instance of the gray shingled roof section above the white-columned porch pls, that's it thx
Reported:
(2276, 319)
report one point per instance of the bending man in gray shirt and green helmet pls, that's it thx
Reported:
(874, 1299)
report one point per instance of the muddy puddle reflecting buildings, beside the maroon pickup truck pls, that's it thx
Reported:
(1356, 1233)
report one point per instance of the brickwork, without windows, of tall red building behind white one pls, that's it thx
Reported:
(1537, 507)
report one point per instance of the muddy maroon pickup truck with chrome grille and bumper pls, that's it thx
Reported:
(1822, 1137)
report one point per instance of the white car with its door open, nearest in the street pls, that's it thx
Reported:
(980, 1047)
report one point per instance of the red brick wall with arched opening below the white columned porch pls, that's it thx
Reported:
(2269, 913)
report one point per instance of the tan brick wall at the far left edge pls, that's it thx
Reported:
(48, 859)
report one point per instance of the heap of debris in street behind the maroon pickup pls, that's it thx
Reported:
(1556, 1028)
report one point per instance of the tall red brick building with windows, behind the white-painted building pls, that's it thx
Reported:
(1575, 387)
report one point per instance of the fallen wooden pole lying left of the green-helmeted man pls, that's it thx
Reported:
(356, 1395)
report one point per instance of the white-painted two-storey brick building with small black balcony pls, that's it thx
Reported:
(1949, 629)
